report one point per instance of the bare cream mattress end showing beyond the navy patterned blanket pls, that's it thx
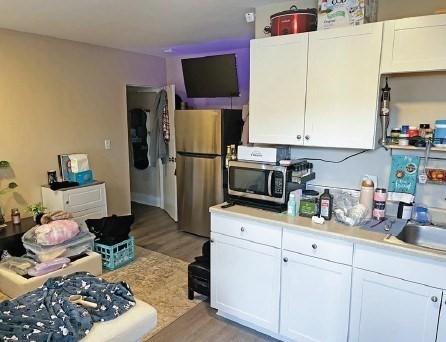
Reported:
(129, 327)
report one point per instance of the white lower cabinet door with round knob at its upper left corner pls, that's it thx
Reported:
(315, 299)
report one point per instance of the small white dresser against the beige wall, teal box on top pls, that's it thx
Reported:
(84, 202)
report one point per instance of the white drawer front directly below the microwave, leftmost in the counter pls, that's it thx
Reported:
(263, 233)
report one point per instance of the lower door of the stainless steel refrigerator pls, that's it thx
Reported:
(200, 186)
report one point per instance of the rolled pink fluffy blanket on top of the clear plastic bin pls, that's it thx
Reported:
(56, 232)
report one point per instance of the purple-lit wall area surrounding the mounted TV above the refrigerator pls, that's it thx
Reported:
(175, 76)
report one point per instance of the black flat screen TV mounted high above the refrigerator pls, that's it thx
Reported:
(212, 76)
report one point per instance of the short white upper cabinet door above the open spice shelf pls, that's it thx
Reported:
(414, 44)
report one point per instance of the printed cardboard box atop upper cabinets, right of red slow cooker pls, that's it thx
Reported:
(346, 13)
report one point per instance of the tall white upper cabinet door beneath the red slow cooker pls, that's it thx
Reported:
(277, 89)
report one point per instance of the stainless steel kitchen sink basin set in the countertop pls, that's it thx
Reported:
(429, 236)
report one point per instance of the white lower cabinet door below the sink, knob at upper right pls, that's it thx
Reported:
(384, 308)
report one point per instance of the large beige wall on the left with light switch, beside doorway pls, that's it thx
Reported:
(59, 96)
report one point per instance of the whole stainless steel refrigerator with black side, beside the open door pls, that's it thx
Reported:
(201, 140)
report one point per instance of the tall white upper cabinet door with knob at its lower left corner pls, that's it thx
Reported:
(343, 87)
